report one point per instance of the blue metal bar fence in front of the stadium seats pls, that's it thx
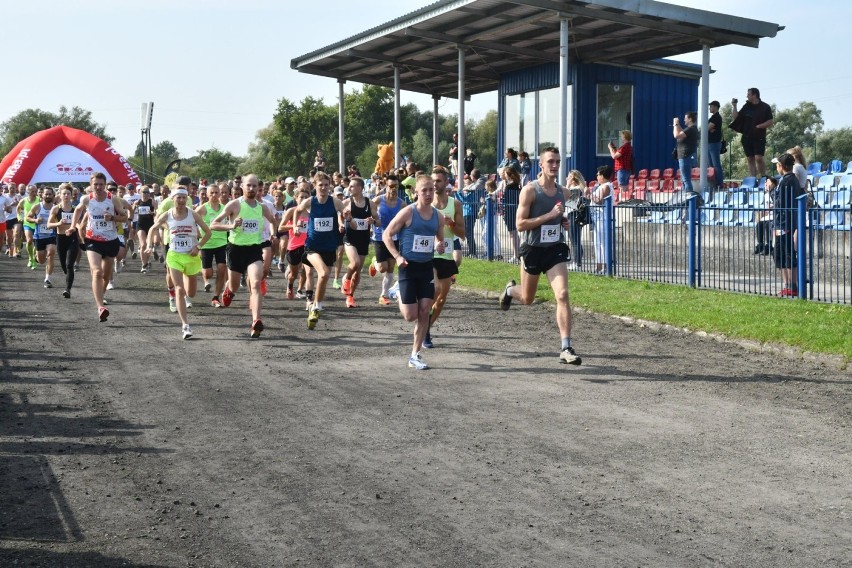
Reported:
(725, 244)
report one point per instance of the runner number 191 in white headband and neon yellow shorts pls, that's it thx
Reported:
(182, 259)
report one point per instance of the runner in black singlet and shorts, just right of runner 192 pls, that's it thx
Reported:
(357, 237)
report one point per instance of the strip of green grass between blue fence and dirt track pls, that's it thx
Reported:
(821, 328)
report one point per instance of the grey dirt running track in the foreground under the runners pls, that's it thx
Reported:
(121, 445)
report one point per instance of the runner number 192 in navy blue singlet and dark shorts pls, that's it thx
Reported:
(326, 215)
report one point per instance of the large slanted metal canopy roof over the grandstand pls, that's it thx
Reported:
(499, 36)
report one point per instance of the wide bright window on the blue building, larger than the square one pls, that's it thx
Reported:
(532, 121)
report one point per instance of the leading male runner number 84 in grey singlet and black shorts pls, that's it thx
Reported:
(544, 251)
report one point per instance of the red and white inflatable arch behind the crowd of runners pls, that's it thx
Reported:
(61, 154)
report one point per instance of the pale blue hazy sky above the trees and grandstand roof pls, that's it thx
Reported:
(216, 69)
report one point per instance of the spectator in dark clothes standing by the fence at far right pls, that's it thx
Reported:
(786, 205)
